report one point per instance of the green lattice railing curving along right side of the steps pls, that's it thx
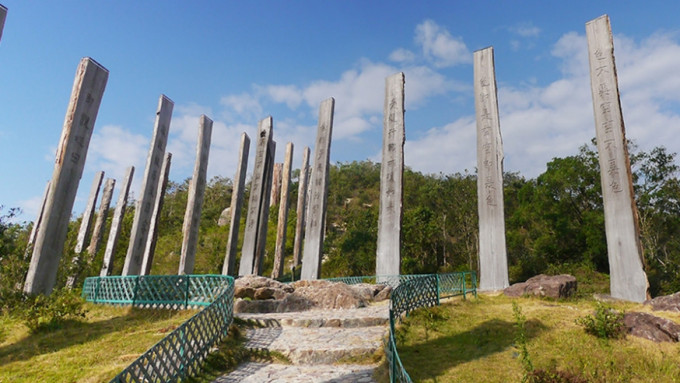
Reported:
(421, 291)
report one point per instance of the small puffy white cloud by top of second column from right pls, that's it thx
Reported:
(440, 47)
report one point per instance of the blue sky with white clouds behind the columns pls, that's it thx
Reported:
(240, 61)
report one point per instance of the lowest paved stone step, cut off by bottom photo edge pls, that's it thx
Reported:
(282, 373)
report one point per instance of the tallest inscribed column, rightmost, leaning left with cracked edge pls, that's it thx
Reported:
(626, 264)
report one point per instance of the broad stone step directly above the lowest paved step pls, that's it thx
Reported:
(324, 345)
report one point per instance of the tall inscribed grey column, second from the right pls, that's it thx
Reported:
(493, 260)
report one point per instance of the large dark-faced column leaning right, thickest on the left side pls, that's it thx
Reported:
(81, 114)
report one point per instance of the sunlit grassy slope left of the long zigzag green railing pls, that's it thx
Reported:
(94, 350)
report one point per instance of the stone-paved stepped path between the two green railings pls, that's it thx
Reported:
(316, 342)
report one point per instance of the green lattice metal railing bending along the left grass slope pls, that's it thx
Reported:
(180, 353)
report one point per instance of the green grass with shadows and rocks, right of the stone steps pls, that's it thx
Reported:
(473, 341)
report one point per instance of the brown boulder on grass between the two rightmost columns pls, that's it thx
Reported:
(555, 286)
